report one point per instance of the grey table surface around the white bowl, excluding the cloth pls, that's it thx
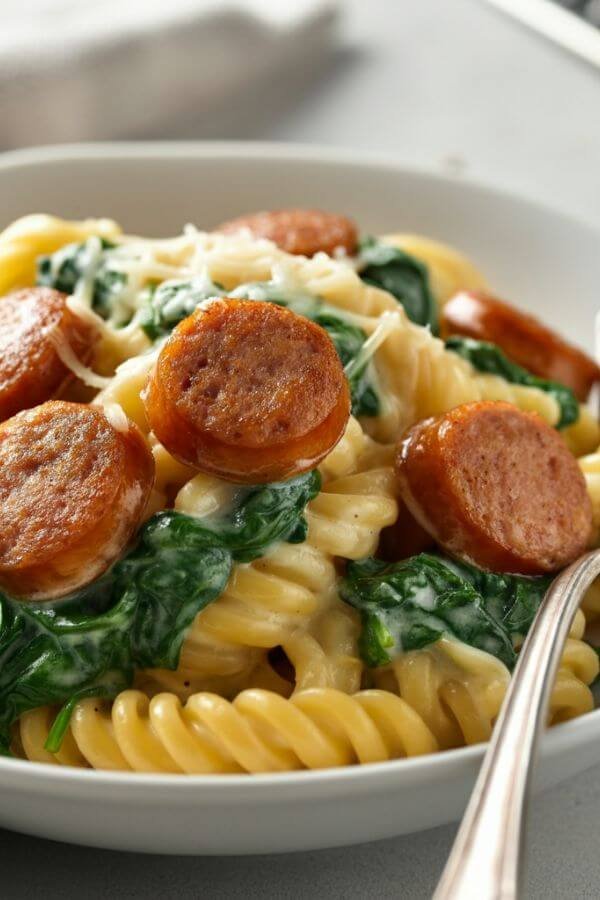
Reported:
(456, 87)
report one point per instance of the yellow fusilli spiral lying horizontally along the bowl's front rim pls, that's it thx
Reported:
(259, 731)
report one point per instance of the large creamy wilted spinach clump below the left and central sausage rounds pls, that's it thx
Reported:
(136, 616)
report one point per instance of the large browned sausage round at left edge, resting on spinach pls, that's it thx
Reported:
(72, 491)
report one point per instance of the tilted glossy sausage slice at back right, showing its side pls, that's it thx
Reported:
(522, 337)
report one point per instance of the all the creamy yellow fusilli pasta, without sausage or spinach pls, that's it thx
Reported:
(270, 675)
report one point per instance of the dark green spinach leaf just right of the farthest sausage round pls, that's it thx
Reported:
(403, 276)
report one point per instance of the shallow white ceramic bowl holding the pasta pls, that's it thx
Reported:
(539, 258)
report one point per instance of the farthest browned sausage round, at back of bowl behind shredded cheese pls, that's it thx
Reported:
(299, 231)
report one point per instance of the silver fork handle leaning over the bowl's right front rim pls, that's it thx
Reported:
(485, 861)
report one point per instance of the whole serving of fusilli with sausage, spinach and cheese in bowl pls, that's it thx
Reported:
(276, 496)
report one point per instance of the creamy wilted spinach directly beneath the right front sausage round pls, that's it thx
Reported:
(410, 604)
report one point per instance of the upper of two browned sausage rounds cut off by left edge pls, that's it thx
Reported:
(31, 370)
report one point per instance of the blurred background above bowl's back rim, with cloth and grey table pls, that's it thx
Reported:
(501, 90)
